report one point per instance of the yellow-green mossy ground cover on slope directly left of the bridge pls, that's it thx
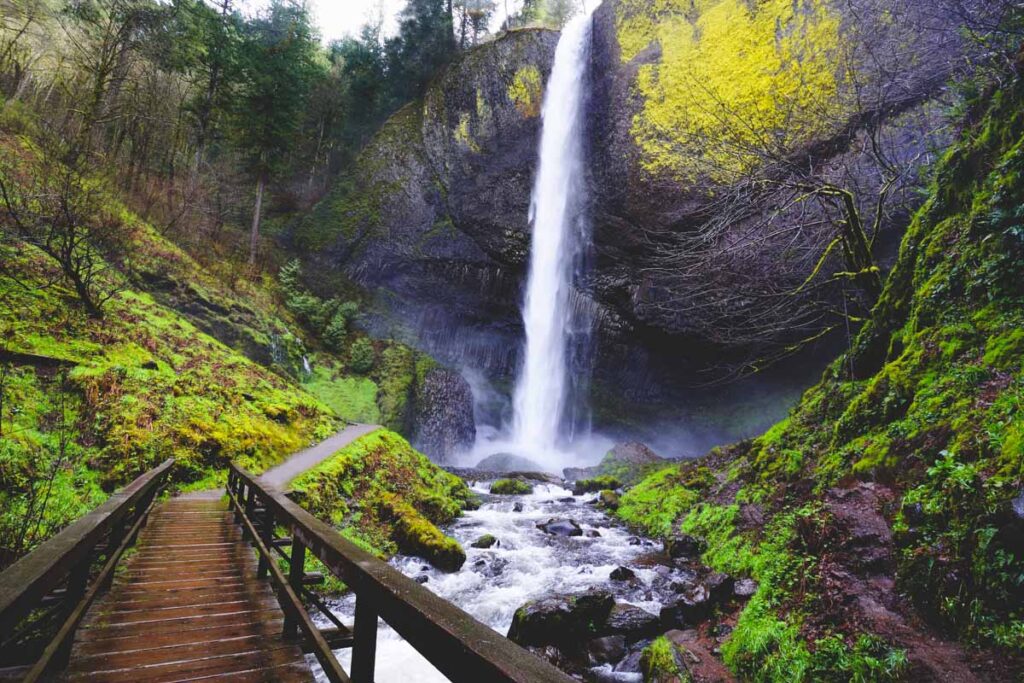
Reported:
(180, 365)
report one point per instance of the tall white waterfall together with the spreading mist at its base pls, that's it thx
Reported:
(550, 424)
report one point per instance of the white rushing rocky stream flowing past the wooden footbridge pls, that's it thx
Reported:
(560, 576)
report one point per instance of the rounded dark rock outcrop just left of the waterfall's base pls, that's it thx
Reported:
(443, 424)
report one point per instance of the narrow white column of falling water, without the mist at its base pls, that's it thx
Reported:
(561, 235)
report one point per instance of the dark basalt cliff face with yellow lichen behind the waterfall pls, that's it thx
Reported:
(434, 216)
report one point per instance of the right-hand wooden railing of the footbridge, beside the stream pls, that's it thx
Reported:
(460, 647)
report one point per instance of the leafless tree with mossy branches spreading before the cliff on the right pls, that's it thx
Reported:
(789, 248)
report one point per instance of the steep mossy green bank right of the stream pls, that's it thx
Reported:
(928, 404)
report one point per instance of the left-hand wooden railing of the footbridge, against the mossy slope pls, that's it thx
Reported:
(55, 584)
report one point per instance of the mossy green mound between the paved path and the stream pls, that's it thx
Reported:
(385, 495)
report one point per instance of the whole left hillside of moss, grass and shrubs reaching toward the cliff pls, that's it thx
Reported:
(172, 361)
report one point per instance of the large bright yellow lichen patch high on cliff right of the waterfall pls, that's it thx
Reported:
(735, 81)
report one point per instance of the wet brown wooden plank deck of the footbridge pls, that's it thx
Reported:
(188, 607)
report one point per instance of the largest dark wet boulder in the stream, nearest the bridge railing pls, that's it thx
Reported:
(558, 619)
